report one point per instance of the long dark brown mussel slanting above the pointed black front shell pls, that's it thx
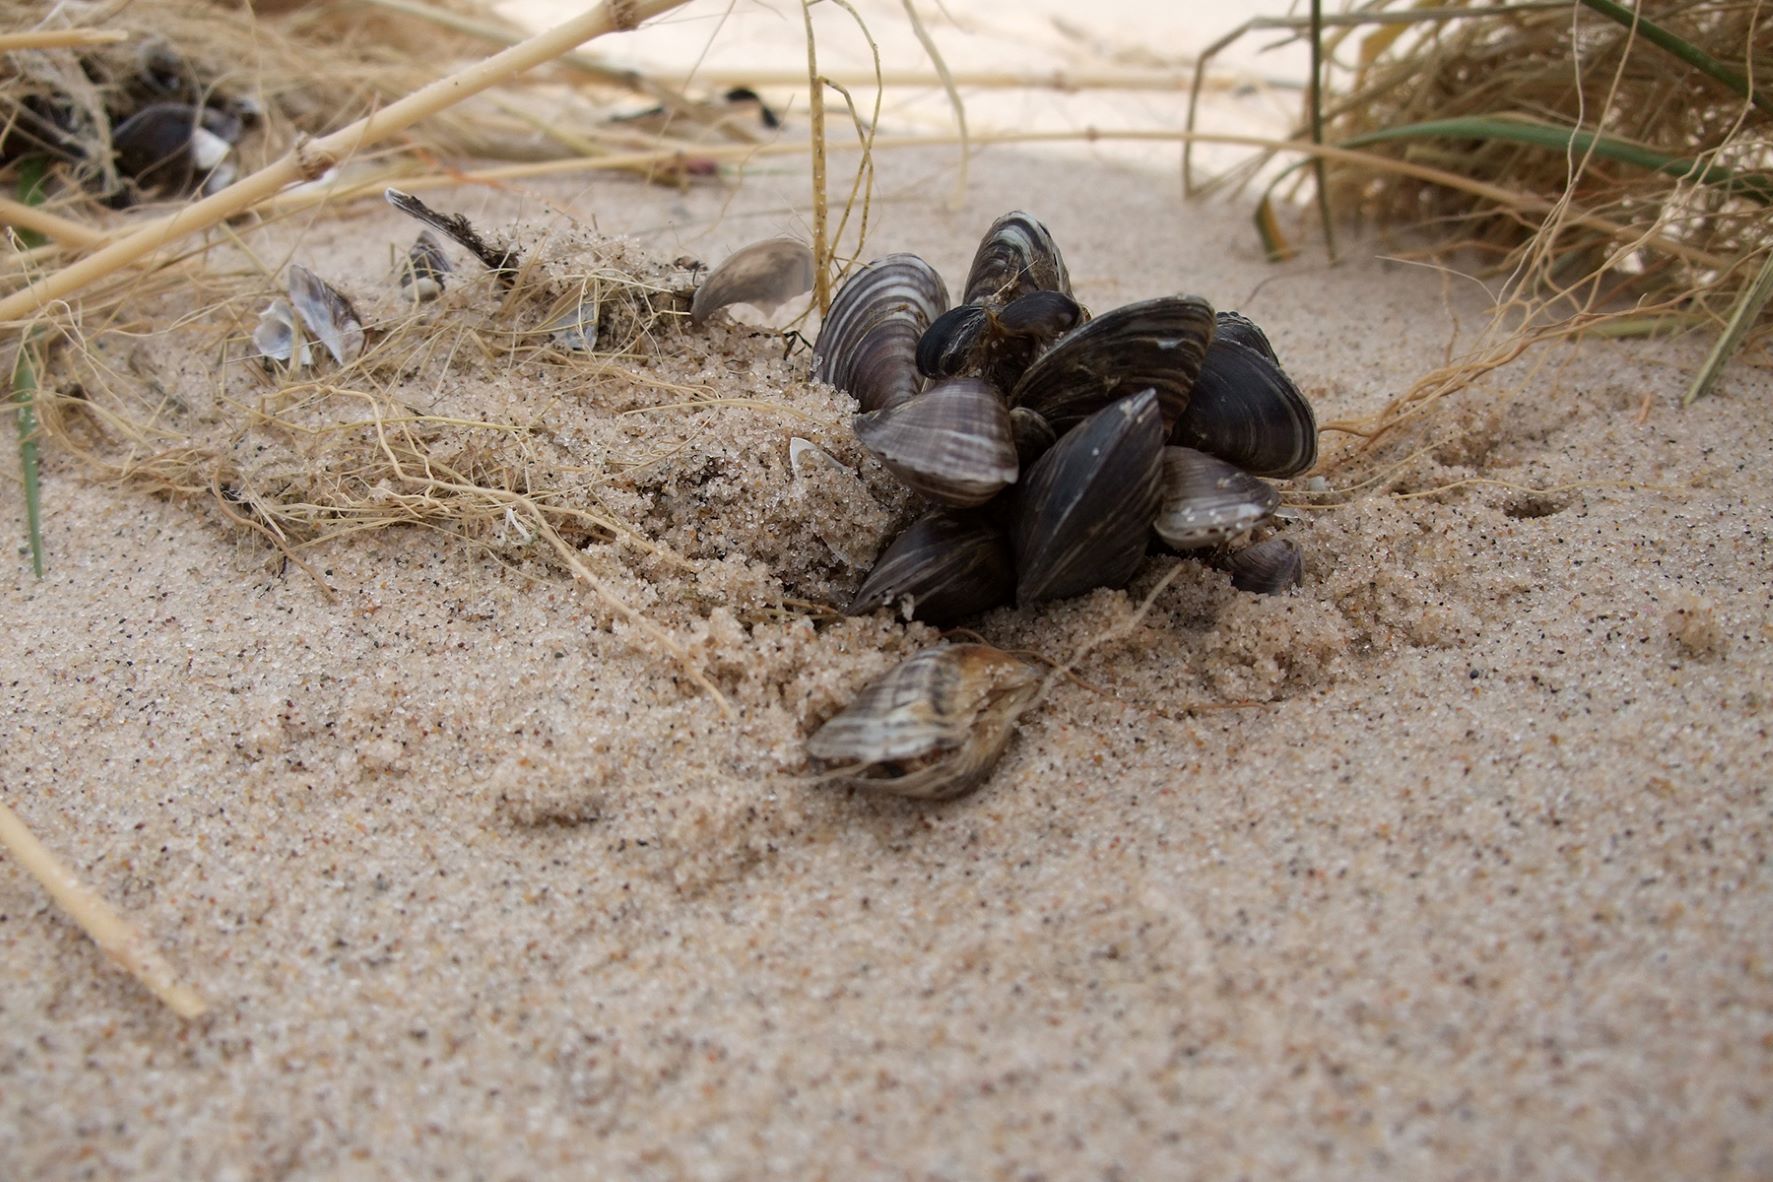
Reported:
(1153, 345)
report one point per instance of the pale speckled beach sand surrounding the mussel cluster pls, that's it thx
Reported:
(1453, 864)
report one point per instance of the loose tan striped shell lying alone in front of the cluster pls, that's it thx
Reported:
(933, 727)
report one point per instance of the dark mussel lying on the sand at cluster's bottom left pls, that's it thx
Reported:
(946, 568)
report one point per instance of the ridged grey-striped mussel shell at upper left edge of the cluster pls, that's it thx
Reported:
(868, 345)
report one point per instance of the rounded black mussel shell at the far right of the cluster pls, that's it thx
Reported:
(1246, 408)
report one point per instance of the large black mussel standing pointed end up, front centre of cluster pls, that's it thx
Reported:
(1088, 504)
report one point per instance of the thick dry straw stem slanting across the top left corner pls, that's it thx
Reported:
(313, 159)
